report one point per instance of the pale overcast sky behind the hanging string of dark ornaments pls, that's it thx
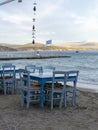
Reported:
(59, 20)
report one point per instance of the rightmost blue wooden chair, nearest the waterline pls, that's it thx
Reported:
(71, 87)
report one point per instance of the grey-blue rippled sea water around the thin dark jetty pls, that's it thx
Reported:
(84, 61)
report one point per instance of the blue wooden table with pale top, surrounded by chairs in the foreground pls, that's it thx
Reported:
(42, 78)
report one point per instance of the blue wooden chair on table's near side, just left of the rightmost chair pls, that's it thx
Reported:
(55, 93)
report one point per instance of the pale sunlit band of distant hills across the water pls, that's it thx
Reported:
(60, 46)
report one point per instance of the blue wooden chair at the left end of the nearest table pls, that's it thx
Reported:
(29, 93)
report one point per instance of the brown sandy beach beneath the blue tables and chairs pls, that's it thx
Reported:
(83, 116)
